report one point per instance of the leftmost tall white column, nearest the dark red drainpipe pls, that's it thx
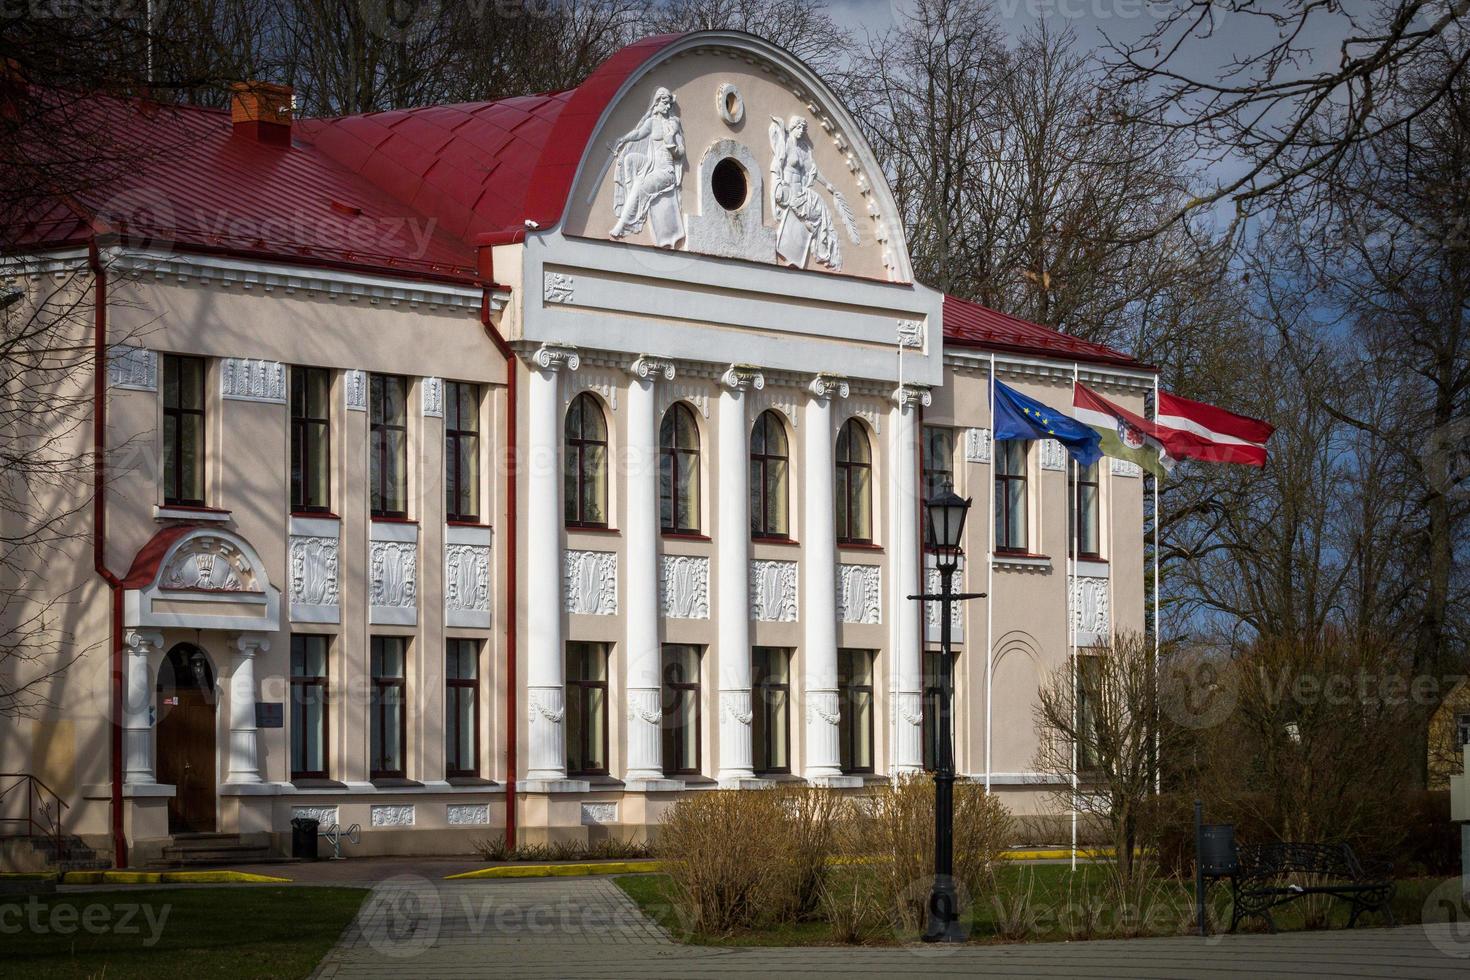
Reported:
(546, 681)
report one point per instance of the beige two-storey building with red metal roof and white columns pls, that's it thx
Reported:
(536, 464)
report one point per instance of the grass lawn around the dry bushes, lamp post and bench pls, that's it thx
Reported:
(1044, 903)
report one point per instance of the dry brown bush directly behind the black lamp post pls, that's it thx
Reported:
(896, 829)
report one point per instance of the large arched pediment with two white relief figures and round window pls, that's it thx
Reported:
(725, 145)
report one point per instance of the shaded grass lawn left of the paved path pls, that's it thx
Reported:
(173, 932)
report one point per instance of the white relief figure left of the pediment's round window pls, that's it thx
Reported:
(649, 173)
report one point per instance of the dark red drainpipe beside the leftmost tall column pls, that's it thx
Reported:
(487, 274)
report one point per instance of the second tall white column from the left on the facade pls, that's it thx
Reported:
(642, 534)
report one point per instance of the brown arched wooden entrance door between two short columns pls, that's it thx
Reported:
(187, 759)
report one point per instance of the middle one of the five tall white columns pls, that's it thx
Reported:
(733, 575)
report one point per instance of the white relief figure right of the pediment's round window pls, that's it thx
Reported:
(805, 224)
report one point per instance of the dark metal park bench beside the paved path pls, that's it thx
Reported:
(1272, 875)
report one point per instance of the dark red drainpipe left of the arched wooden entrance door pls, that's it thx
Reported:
(120, 840)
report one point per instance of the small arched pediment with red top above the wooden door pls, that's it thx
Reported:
(201, 577)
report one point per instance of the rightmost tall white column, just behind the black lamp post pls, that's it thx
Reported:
(908, 669)
